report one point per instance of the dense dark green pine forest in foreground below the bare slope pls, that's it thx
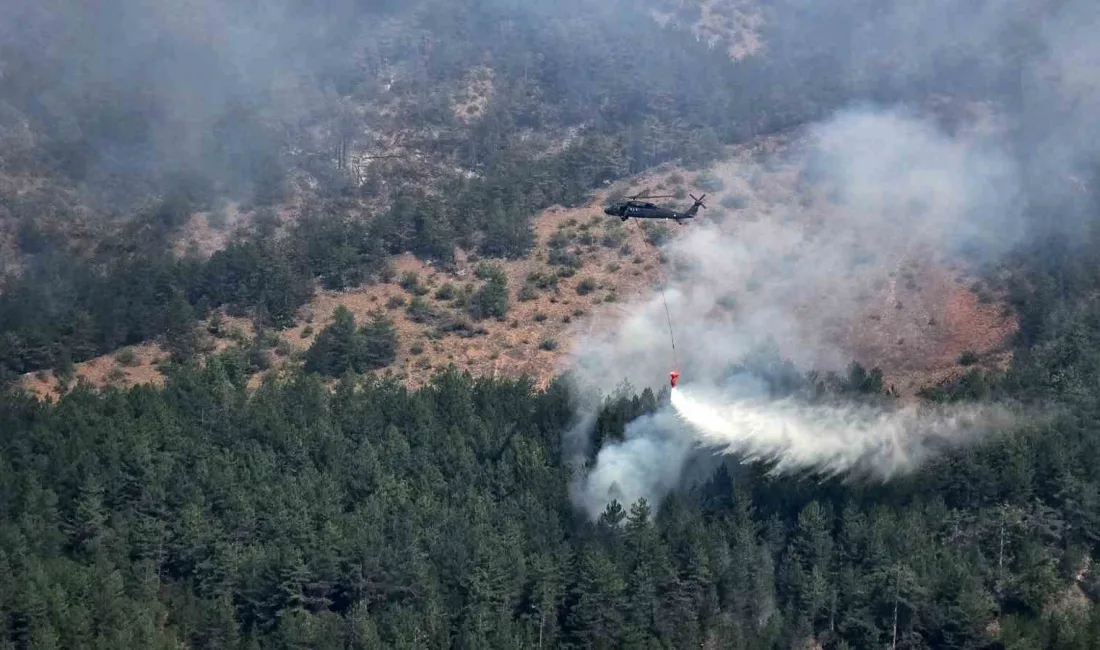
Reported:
(207, 515)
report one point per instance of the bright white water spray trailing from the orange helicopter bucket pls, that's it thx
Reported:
(831, 439)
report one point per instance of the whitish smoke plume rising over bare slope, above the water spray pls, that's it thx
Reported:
(877, 188)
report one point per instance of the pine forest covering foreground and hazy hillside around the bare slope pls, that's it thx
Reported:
(335, 509)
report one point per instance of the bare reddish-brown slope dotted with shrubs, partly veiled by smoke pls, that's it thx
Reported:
(916, 316)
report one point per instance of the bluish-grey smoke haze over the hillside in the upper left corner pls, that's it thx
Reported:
(127, 94)
